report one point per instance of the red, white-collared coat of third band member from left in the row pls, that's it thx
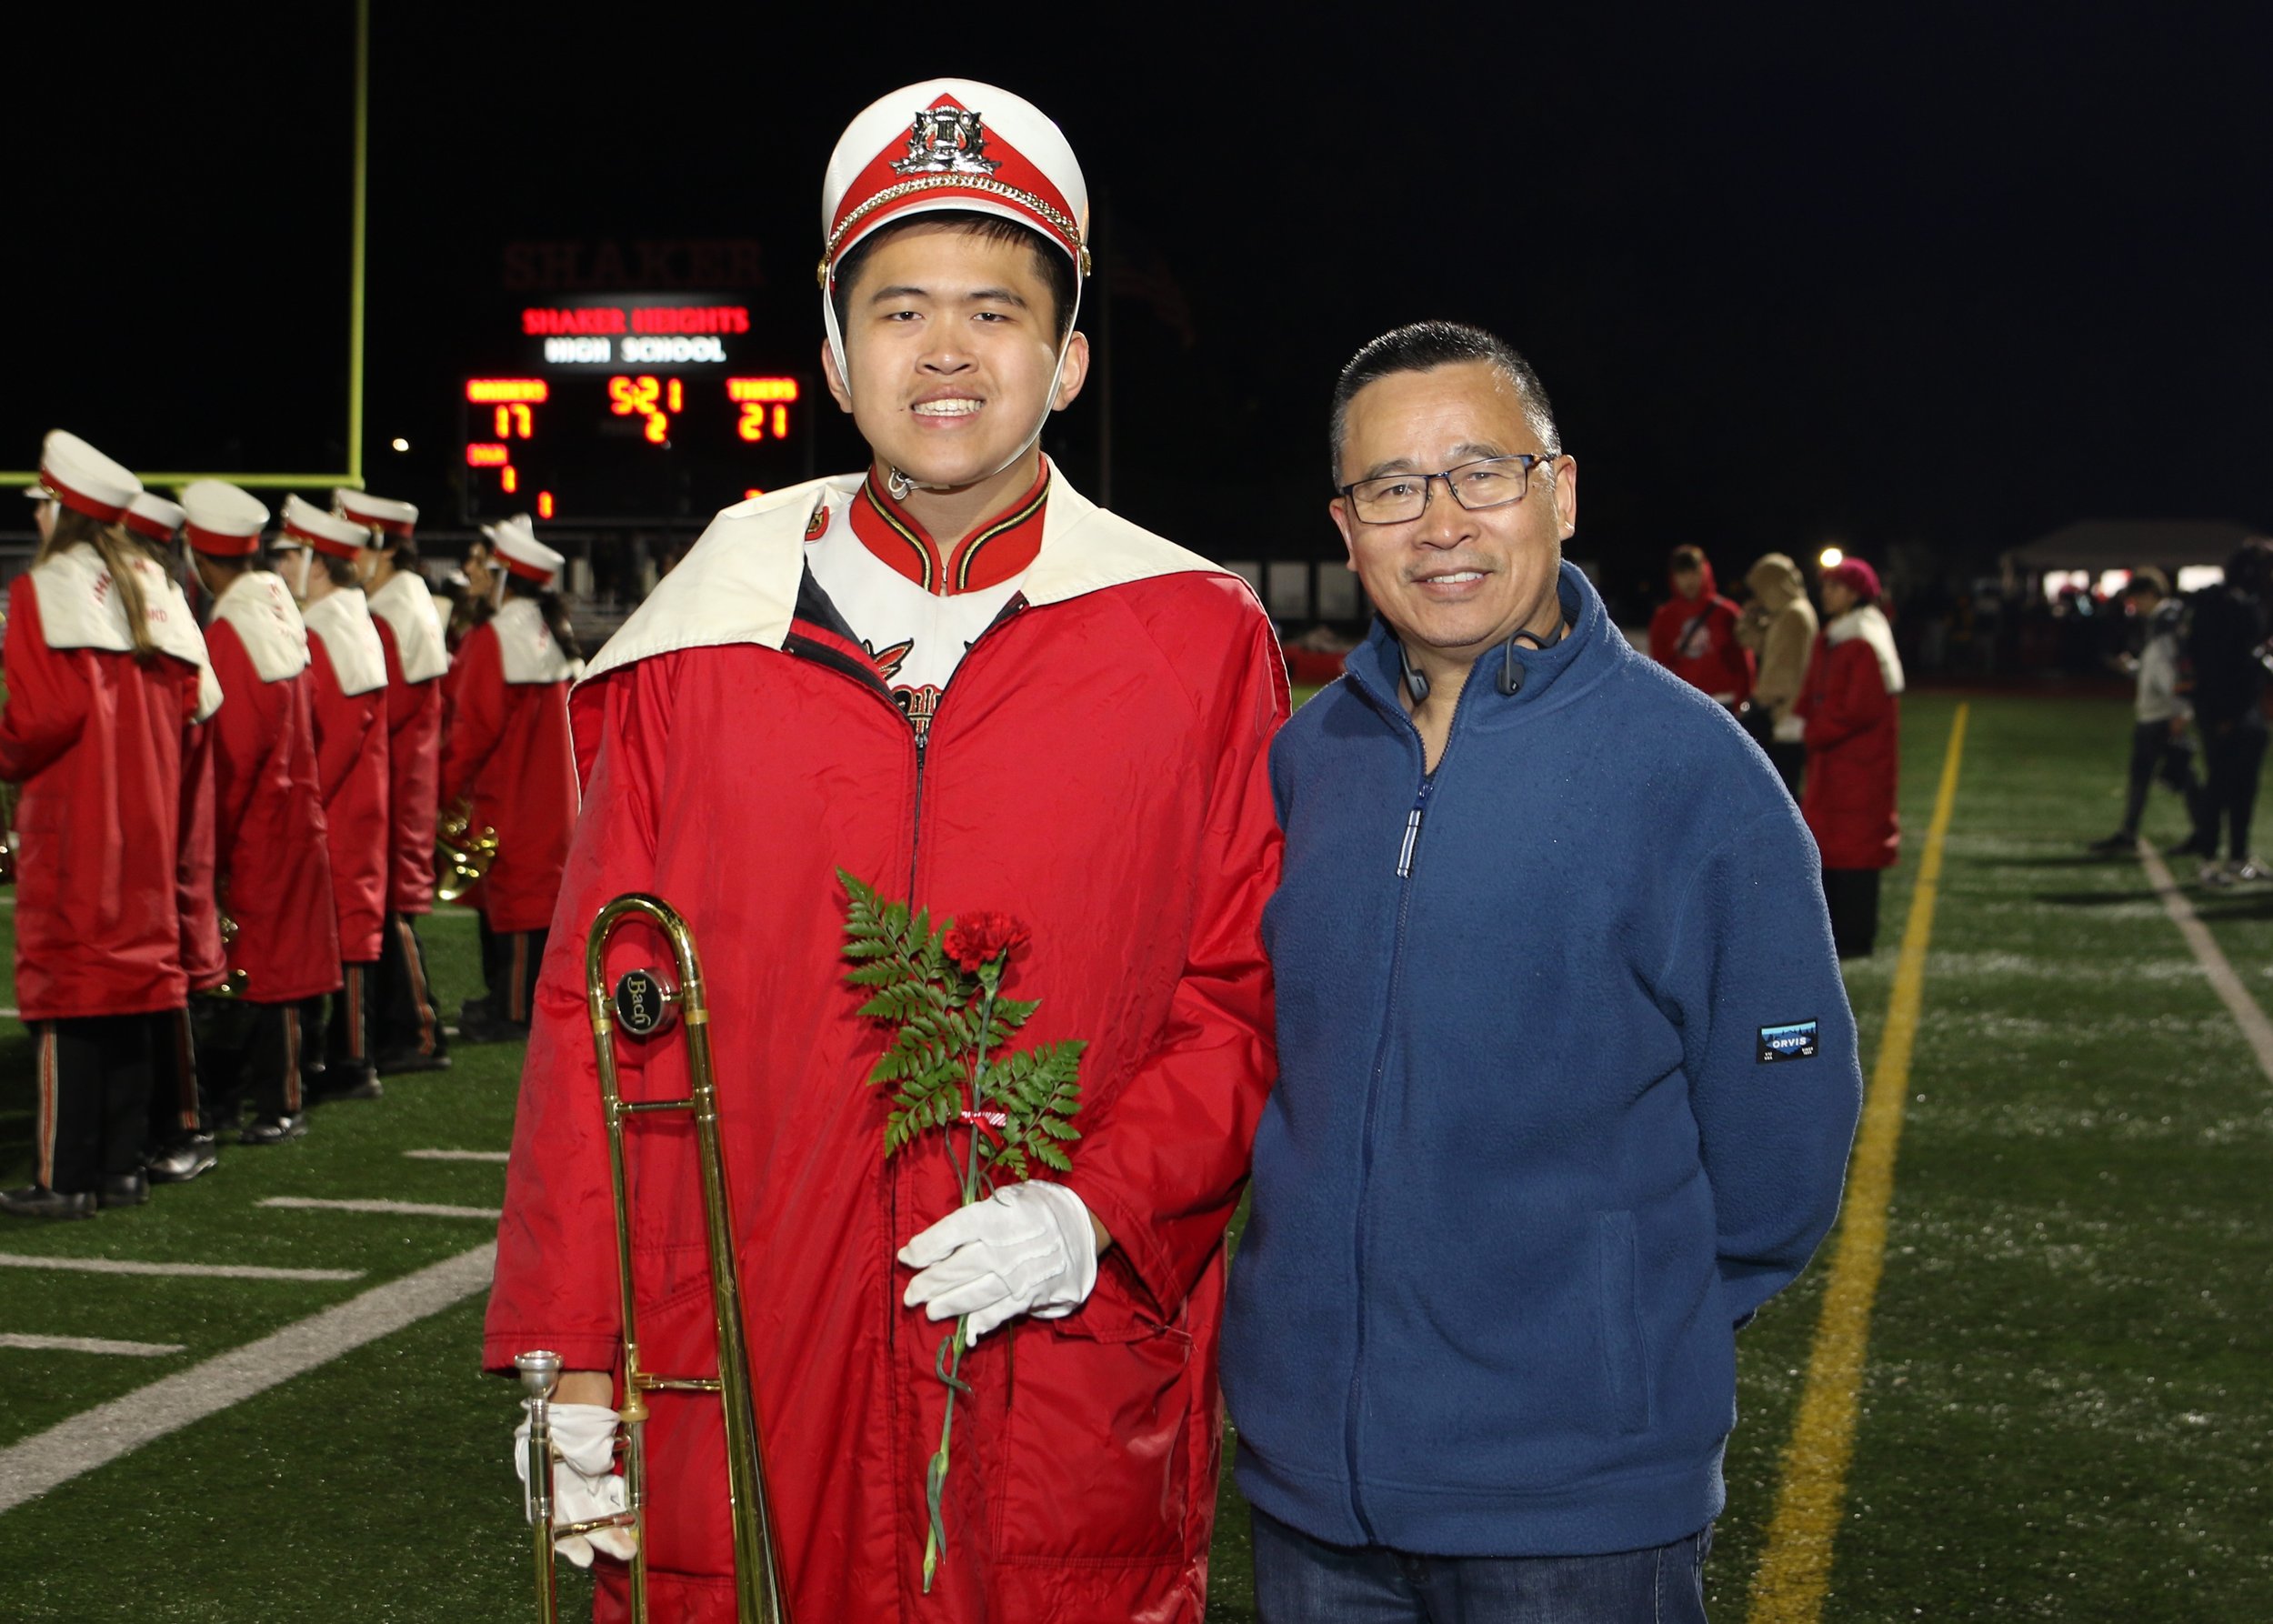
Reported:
(274, 870)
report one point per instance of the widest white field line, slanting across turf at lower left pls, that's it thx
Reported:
(99, 1436)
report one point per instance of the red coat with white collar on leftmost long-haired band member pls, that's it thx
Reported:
(99, 745)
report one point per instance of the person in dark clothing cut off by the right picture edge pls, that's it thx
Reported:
(2226, 647)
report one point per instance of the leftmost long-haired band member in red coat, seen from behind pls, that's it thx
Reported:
(103, 686)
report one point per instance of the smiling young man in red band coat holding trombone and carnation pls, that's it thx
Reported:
(958, 679)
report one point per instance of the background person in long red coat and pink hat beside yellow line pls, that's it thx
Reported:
(1854, 752)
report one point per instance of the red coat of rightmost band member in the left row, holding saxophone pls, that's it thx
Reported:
(506, 747)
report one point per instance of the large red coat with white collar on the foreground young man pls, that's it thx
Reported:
(1097, 770)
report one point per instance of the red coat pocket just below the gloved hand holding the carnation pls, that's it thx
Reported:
(1097, 1459)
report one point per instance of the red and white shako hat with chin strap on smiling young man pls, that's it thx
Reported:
(951, 144)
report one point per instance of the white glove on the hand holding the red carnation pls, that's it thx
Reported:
(1029, 1250)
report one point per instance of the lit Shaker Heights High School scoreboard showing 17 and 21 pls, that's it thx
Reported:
(638, 408)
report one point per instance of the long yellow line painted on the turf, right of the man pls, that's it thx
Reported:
(1797, 1566)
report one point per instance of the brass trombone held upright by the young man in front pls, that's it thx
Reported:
(642, 1006)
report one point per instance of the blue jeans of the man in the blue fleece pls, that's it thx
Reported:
(1308, 1582)
